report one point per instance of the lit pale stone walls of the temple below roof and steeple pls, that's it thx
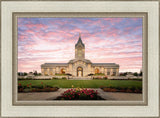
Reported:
(87, 69)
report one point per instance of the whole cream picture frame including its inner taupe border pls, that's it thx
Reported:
(13, 9)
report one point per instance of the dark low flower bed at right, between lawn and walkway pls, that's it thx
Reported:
(119, 89)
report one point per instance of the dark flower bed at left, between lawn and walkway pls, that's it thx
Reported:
(30, 88)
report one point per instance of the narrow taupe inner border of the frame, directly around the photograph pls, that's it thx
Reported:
(73, 15)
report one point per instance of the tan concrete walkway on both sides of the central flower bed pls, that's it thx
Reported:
(35, 96)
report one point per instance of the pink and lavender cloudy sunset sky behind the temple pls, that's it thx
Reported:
(52, 40)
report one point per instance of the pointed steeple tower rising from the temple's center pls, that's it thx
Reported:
(79, 49)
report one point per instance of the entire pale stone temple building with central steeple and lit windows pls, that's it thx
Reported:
(80, 67)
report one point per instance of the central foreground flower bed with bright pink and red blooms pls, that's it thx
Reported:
(80, 94)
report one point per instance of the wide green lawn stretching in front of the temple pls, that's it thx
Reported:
(84, 83)
